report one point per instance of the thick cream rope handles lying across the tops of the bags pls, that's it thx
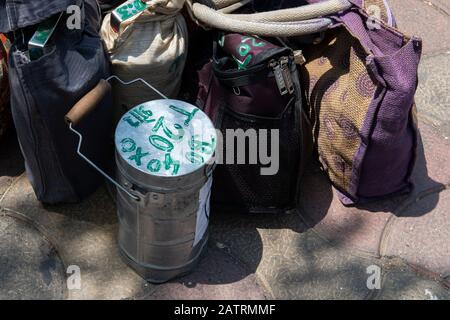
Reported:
(277, 23)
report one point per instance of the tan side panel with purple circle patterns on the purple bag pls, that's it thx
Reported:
(339, 91)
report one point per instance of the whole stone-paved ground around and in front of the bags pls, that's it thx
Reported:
(322, 252)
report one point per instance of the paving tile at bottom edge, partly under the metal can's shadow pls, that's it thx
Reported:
(218, 276)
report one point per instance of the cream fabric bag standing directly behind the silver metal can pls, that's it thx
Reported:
(153, 48)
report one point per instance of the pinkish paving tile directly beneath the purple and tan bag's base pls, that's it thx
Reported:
(361, 227)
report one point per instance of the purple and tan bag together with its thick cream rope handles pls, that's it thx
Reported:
(358, 83)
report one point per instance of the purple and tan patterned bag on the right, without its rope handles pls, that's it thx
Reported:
(359, 83)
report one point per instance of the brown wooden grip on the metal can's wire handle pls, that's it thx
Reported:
(88, 103)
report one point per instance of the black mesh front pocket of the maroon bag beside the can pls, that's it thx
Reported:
(243, 186)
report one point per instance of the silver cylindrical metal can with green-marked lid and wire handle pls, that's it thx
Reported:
(164, 158)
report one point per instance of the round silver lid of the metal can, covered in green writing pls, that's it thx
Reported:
(165, 138)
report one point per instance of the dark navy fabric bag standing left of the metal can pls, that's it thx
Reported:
(44, 90)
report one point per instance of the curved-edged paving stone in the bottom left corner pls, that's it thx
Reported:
(30, 265)
